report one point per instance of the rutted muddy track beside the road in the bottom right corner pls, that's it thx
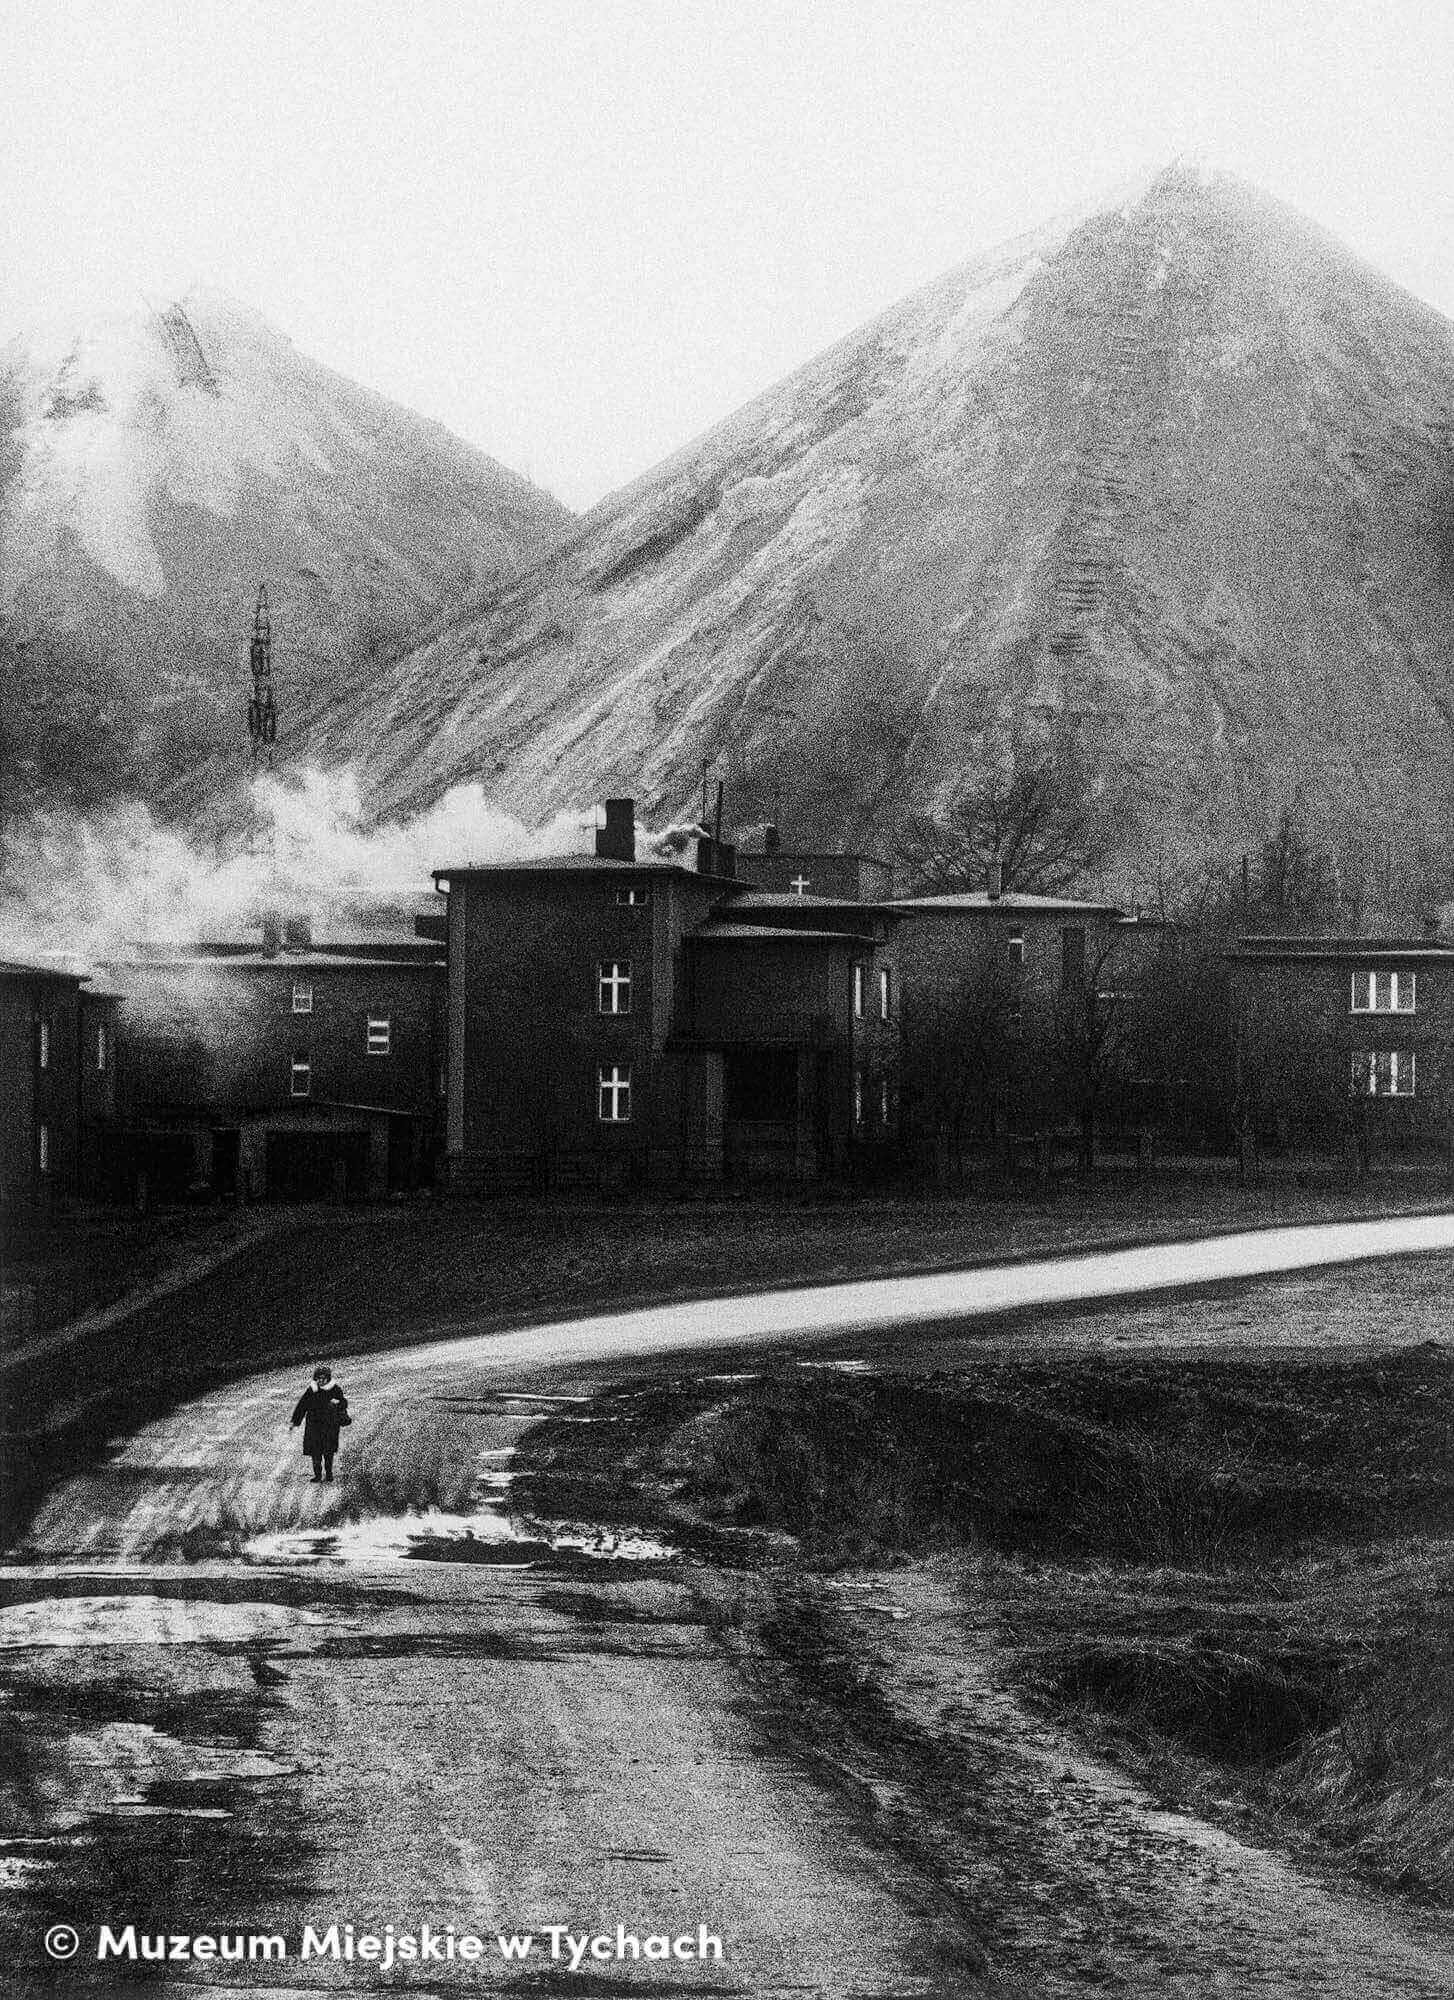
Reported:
(1077, 1877)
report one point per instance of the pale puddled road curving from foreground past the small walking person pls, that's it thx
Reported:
(511, 1741)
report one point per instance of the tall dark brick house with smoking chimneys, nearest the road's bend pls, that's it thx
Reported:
(621, 1015)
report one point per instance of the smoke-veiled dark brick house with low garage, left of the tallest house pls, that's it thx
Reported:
(289, 1069)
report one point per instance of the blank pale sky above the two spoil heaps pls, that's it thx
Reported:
(583, 231)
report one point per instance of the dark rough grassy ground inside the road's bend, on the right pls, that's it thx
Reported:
(1227, 1577)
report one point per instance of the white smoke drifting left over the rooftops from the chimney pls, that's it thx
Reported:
(85, 891)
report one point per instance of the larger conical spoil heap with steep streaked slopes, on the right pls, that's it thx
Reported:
(1181, 469)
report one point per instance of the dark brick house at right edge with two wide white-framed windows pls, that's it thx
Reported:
(1345, 1039)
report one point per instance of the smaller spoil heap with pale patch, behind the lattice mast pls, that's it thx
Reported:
(155, 467)
